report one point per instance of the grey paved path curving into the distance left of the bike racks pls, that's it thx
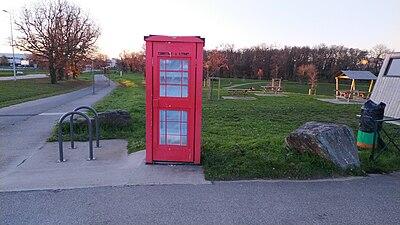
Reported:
(21, 136)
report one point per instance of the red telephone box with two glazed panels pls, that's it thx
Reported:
(174, 72)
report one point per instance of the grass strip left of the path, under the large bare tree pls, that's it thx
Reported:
(13, 92)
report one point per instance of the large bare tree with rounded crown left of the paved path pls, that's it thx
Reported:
(58, 33)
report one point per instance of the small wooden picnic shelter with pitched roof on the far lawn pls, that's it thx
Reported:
(352, 92)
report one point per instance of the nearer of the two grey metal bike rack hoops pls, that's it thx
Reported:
(60, 134)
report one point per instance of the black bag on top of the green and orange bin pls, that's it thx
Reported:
(369, 113)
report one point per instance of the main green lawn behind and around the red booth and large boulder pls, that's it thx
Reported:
(245, 139)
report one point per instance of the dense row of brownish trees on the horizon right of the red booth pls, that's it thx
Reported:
(275, 62)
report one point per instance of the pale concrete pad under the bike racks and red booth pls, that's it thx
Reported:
(112, 167)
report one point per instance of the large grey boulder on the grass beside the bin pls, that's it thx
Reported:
(334, 142)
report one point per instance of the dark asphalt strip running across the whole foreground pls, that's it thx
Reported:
(371, 200)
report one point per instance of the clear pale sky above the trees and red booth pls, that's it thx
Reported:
(353, 23)
